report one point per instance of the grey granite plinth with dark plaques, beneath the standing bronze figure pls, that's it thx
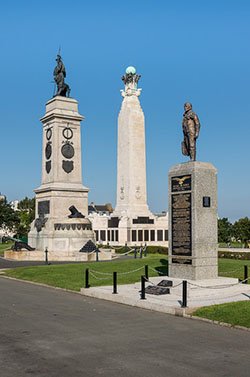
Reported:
(193, 221)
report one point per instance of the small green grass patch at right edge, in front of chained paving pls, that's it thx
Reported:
(235, 313)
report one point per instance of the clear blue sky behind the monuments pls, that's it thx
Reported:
(193, 51)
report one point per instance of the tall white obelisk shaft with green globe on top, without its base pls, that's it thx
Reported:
(131, 156)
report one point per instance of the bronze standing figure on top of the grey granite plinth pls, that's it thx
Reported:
(191, 129)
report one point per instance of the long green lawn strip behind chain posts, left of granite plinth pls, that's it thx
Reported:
(72, 276)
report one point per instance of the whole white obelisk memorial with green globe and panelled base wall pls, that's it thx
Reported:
(132, 222)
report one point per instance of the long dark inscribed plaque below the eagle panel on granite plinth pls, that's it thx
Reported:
(181, 226)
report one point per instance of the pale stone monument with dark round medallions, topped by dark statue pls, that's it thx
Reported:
(61, 225)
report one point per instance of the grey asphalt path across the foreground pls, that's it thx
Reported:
(52, 333)
